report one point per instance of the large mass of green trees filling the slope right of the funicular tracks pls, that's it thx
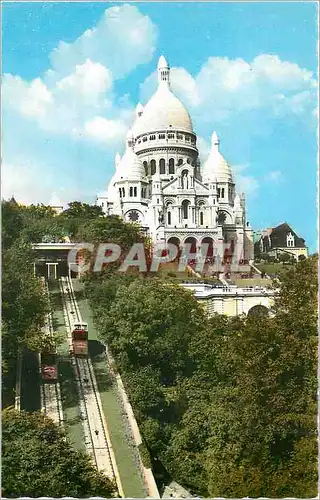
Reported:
(228, 405)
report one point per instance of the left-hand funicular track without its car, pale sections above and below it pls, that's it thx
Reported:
(50, 392)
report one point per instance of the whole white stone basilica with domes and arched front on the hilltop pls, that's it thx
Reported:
(160, 183)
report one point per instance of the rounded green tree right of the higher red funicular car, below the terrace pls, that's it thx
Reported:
(151, 322)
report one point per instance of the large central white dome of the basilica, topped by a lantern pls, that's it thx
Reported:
(164, 110)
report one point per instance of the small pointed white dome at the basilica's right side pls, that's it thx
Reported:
(216, 167)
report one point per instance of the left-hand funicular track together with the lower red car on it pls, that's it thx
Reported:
(51, 403)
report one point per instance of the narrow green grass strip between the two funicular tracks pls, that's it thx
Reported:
(68, 386)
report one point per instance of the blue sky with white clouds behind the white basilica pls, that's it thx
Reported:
(73, 74)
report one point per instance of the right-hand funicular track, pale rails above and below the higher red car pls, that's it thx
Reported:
(95, 429)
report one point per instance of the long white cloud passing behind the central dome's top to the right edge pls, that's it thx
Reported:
(224, 88)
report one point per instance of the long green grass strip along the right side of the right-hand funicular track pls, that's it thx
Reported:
(124, 449)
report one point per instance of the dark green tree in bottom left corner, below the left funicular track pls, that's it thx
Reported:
(38, 460)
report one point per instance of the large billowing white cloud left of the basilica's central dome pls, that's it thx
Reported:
(79, 85)
